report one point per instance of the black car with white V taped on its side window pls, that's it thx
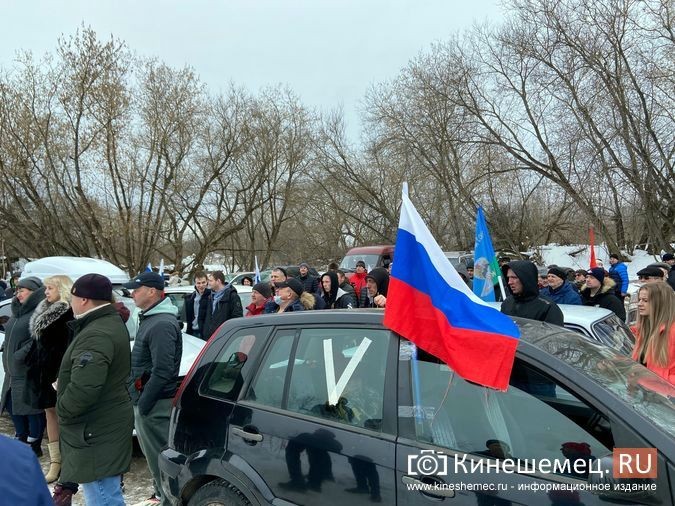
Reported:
(331, 408)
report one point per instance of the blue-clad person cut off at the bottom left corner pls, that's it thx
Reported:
(22, 481)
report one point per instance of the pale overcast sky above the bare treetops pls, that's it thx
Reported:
(328, 52)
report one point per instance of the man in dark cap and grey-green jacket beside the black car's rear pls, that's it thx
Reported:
(155, 364)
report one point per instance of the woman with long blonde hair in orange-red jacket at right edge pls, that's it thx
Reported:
(655, 330)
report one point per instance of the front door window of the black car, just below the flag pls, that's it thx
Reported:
(536, 418)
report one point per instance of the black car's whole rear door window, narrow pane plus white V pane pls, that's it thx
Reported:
(336, 374)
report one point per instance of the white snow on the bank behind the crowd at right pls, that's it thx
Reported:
(577, 256)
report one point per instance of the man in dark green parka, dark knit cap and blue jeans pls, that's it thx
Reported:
(92, 401)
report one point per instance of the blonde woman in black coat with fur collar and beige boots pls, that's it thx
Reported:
(51, 336)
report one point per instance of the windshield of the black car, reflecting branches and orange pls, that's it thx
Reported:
(638, 387)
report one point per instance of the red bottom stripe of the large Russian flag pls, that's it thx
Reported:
(481, 357)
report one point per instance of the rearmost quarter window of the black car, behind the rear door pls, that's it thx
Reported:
(230, 369)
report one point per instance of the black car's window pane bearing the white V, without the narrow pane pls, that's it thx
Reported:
(339, 375)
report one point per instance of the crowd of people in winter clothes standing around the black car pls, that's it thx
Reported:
(69, 369)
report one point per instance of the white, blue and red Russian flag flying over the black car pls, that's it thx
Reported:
(429, 303)
